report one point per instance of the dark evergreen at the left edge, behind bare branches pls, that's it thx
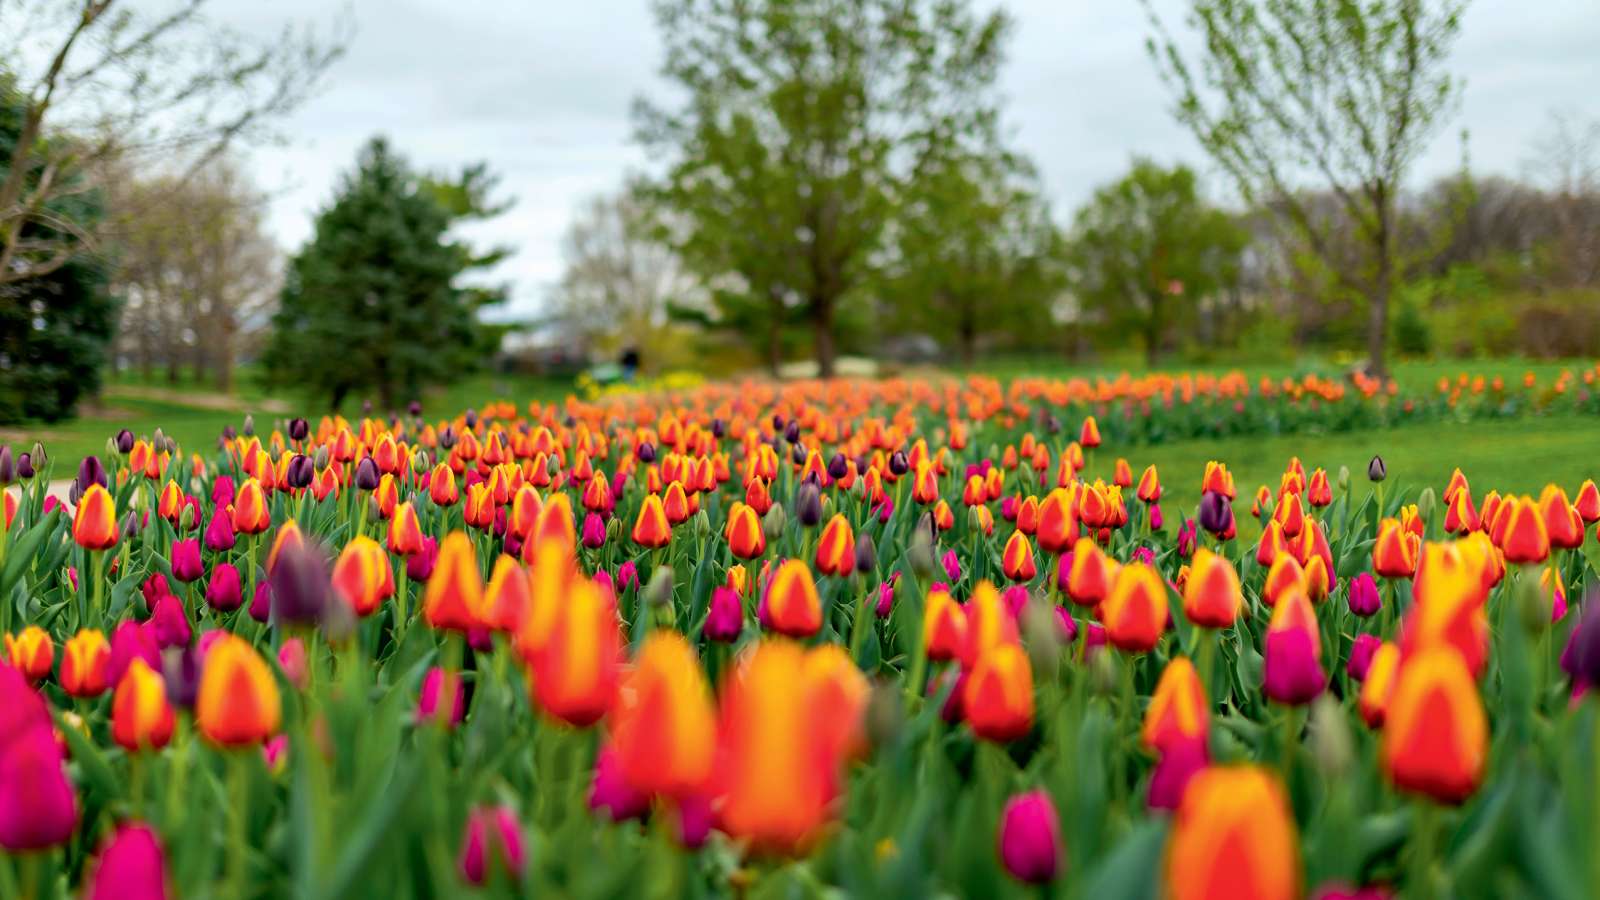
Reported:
(55, 327)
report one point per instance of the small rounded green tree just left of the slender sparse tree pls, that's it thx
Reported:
(1146, 249)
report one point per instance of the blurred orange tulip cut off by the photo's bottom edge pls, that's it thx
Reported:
(1233, 837)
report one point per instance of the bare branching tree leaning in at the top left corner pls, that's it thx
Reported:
(102, 79)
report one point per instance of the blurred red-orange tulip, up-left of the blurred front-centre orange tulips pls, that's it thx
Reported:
(577, 670)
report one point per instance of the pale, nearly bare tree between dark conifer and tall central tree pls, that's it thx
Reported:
(620, 281)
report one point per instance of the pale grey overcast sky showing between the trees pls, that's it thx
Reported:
(542, 90)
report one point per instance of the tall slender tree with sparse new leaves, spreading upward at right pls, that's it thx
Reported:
(1337, 92)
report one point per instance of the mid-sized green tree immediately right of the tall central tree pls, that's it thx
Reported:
(978, 254)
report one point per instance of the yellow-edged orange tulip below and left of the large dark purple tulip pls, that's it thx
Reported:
(239, 699)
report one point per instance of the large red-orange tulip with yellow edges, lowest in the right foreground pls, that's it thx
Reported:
(1436, 731)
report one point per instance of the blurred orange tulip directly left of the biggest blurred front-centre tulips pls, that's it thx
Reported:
(663, 725)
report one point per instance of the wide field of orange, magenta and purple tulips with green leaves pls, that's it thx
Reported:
(884, 638)
